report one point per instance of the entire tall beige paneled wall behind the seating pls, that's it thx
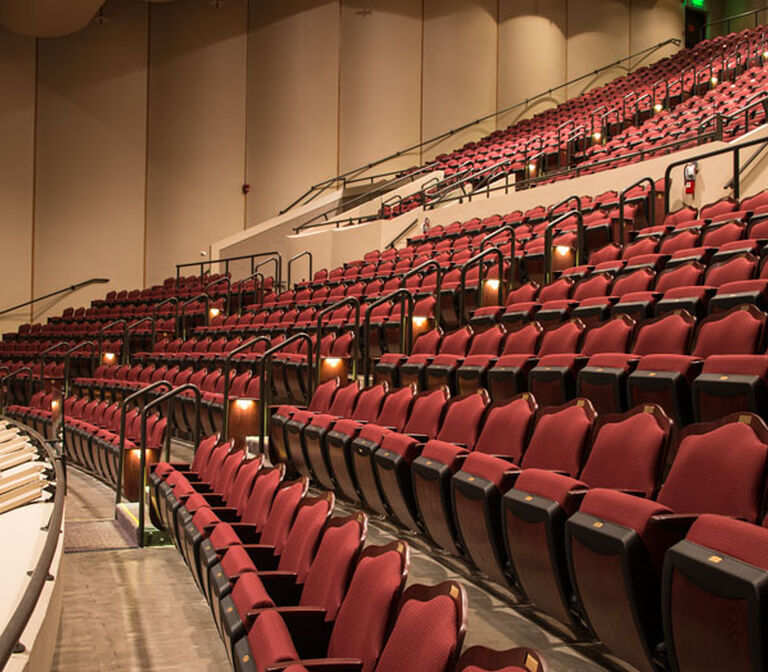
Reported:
(148, 124)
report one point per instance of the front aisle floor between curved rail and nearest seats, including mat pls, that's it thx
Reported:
(131, 609)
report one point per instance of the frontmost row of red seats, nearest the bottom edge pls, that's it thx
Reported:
(293, 587)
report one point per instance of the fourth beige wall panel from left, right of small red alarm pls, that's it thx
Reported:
(293, 100)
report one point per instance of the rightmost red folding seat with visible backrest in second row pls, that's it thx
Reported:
(619, 540)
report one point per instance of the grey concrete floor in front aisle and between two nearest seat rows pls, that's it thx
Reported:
(138, 609)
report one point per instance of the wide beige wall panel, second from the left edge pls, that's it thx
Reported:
(90, 158)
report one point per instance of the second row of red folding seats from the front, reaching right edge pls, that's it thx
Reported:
(583, 514)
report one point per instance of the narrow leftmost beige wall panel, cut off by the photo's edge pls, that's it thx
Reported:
(17, 119)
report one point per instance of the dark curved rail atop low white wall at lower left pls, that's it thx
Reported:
(11, 634)
